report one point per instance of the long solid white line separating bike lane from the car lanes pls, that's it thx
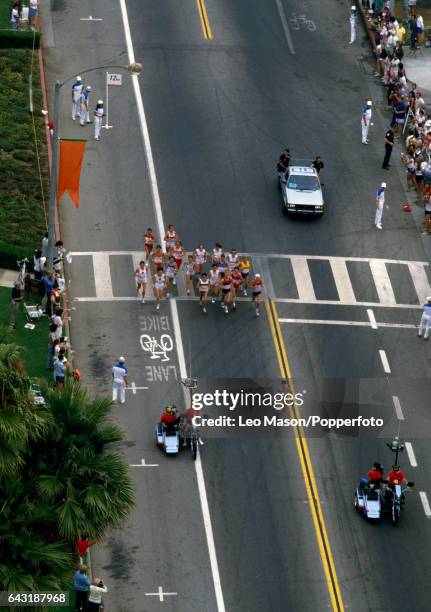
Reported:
(174, 312)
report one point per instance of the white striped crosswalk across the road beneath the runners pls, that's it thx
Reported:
(302, 278)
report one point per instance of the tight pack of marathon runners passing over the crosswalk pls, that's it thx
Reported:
(229, 274)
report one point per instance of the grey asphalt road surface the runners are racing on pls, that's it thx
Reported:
(219, 112)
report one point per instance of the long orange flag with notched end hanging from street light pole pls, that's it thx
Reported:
(71, 156)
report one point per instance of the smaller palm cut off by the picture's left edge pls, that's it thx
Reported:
(20, 419)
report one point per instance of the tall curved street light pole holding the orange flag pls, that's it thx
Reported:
(134, 68)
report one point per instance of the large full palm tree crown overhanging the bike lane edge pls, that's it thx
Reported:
(76, 469)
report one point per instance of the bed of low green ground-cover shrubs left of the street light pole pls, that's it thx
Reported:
(22, 215)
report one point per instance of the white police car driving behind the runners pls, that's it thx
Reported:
(301, 189)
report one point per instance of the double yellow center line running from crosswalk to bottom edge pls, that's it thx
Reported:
(306, 466)
